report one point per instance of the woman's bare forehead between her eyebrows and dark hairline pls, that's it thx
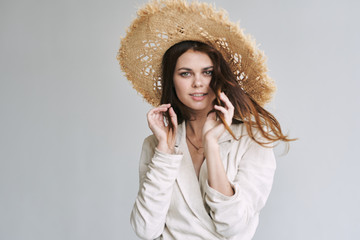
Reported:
(194, 59)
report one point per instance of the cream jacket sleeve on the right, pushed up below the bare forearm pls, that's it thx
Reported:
(238, 215)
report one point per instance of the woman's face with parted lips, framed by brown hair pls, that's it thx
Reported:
(192, 77)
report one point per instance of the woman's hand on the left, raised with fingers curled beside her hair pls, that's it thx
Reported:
(164, 134)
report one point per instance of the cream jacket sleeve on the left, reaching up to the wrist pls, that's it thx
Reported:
(157, 174)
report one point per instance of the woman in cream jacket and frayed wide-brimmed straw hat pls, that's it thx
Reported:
(207, 170)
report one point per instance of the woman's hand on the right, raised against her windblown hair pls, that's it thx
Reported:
(213, 129)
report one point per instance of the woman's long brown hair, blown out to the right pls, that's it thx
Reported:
(246, 110)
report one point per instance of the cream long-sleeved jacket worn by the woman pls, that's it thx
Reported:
(173, 204)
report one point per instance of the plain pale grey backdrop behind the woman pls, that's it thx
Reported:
(71, 126)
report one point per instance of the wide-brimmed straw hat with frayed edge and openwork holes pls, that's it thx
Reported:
(162, 23)
